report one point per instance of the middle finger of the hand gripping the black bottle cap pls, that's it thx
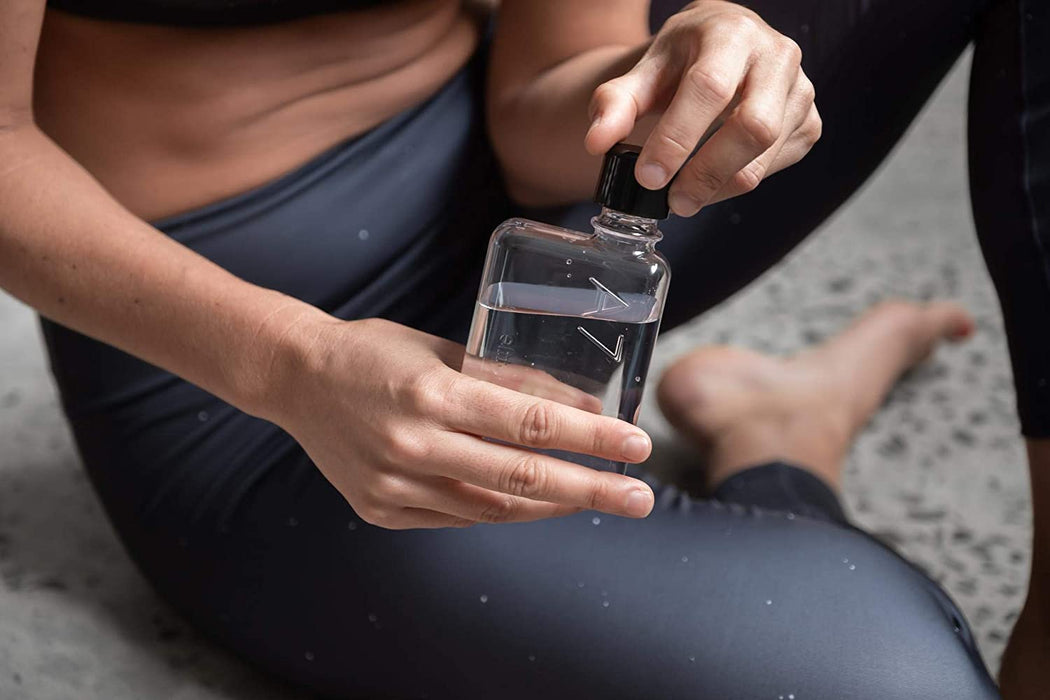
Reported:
(754, 128)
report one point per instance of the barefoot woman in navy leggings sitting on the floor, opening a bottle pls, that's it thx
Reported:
(320, 166)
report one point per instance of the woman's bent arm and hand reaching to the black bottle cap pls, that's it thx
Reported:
(571, 79)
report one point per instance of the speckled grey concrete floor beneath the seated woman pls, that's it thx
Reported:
(940, 474)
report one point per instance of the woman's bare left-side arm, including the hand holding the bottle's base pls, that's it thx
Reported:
(416, 457)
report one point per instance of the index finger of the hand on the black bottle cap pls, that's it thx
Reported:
(706, 91)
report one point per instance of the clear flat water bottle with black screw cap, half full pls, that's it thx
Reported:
(573, 316)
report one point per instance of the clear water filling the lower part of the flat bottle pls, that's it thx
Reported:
(586, 348)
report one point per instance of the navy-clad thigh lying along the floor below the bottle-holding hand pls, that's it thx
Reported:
(700, 601)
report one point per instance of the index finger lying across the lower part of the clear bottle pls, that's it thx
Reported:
(494, 412)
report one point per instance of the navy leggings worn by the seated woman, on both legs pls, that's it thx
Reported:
(761, 591)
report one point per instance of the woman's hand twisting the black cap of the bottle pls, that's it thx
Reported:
(715, 66)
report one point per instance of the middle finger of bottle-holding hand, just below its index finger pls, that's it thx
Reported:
(535, 477)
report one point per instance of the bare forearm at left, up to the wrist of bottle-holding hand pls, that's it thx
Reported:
(72, 252)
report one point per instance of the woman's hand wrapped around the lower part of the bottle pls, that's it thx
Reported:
(386, 417)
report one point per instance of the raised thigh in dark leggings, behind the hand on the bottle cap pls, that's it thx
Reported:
(875, 63)
